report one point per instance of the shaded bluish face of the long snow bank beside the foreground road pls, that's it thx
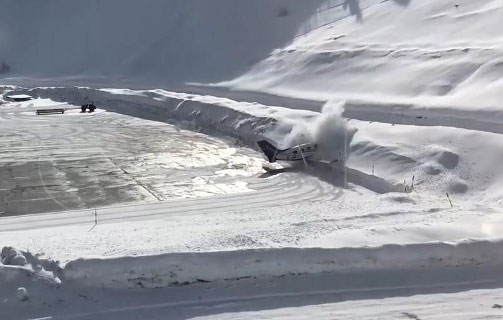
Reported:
(184, 268)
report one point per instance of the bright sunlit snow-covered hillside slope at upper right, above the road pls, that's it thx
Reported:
(430, 51)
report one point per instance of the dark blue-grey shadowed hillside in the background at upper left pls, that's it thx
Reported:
(155, 40)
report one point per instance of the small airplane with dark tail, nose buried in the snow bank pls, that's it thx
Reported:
(295, 153)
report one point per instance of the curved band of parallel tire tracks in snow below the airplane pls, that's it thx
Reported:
(304, 190)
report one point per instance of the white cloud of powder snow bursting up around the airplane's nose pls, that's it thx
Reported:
(329, 130)
